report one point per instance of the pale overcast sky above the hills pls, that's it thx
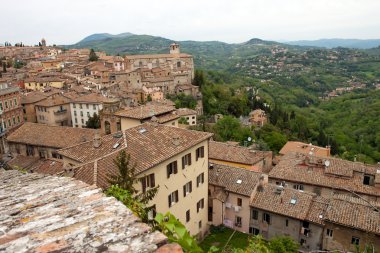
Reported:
(68, 21)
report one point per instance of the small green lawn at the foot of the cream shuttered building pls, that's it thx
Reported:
(219, 236)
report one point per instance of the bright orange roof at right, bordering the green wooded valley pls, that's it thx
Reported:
(304, 148)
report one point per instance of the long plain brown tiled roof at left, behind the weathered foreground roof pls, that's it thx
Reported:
(50, 136)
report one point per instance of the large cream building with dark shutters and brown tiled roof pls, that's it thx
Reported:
(172, 158)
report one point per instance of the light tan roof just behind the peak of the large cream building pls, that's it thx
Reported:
(144, 111)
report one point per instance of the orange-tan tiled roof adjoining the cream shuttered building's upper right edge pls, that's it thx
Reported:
(231, 153)
